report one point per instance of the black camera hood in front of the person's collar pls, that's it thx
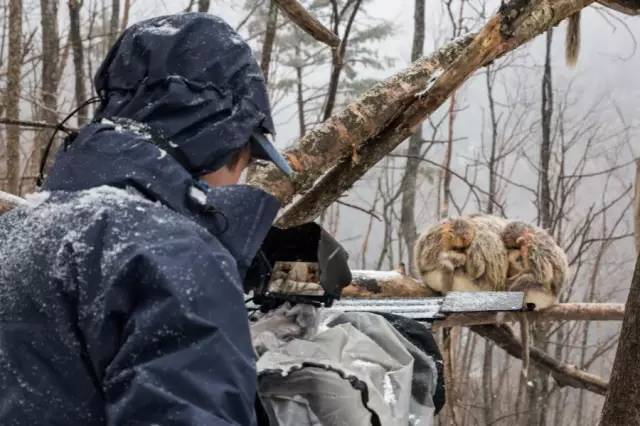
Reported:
(308, 243)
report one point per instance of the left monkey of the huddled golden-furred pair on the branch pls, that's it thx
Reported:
(462, 254)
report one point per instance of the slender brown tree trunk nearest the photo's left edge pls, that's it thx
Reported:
(12, 95)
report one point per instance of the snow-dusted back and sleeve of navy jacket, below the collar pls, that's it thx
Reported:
(114, 306)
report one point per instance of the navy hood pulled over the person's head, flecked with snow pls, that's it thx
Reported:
(193, 81)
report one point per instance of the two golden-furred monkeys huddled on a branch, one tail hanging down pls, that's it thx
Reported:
(489, 253)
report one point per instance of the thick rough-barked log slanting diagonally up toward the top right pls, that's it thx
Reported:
(352, 141)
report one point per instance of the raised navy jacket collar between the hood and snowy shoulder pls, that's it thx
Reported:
(107, 154)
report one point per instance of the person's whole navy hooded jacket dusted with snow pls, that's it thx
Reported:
(121, 297)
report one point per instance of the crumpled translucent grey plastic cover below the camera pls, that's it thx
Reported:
(321, 367)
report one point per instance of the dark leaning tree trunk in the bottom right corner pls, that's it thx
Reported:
(622, 406)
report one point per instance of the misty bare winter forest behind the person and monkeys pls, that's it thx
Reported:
(526, 137)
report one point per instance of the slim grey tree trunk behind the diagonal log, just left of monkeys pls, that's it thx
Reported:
(409, 180)
